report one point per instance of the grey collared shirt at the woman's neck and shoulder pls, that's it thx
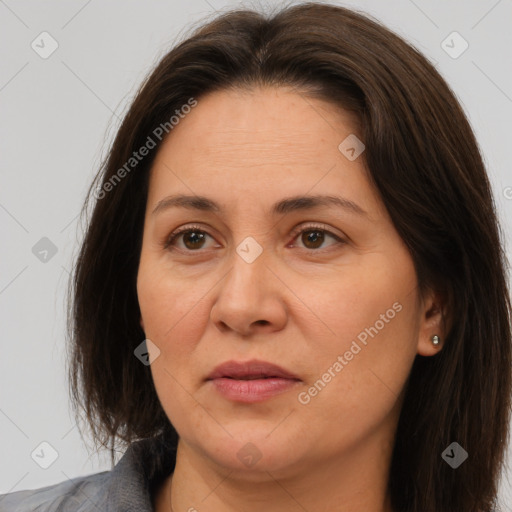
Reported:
(128, 487)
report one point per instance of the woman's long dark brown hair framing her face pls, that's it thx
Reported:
(424, 161)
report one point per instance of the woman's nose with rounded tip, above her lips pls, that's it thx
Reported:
(249, 299)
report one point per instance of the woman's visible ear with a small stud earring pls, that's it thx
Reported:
(432, 322)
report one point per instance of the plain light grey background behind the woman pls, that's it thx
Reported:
(58, 116)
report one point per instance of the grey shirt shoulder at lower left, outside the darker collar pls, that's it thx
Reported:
(81, 494)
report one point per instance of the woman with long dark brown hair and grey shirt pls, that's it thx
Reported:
(291, 294)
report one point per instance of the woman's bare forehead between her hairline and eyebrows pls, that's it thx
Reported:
(259, 142)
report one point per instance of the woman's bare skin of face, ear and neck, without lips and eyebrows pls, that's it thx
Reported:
(299, 304)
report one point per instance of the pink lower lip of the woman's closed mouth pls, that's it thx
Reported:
(255, 390)
